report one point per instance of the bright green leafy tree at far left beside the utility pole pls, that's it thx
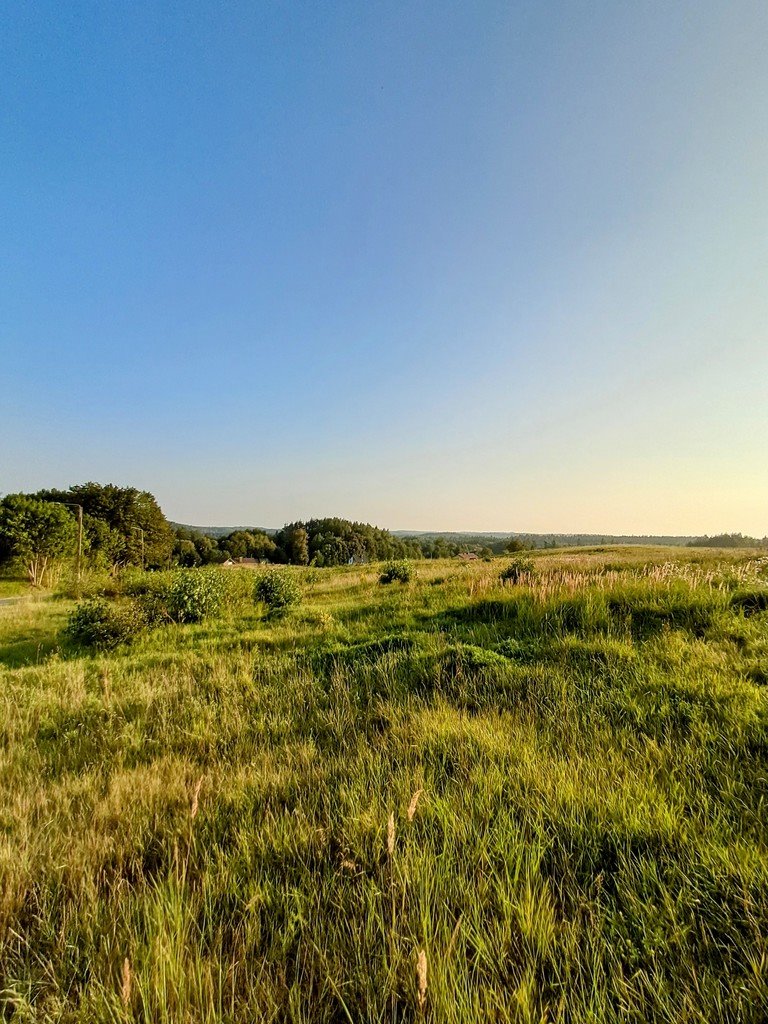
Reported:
(39, 535)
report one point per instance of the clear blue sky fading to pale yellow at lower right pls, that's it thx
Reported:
(432, 266)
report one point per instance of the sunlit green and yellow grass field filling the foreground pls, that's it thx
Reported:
(454, 801)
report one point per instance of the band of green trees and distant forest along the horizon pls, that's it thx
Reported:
(106, 527)
